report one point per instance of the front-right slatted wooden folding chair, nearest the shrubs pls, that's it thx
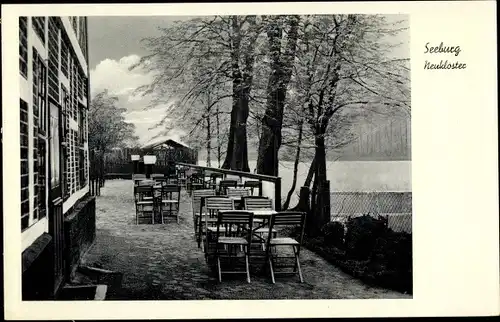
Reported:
(285, 218)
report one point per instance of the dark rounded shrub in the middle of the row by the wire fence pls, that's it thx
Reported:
(362, 233)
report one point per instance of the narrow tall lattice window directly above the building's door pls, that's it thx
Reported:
(53, 59)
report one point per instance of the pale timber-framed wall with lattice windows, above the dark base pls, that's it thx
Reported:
(53, 61)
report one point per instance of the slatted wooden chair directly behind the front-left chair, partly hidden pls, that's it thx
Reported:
(208, 218)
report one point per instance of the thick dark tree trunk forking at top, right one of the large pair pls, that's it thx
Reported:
(281, 72)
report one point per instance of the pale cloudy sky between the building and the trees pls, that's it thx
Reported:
(114, 45)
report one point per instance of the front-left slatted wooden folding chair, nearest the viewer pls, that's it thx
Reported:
(234, 228)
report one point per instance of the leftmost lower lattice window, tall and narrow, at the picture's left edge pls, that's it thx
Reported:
(25, 209)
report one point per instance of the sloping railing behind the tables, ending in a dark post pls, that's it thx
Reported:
(273, 191)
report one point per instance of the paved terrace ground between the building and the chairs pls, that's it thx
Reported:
(163, 262)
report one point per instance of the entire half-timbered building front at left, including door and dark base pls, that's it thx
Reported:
(54, 98)
